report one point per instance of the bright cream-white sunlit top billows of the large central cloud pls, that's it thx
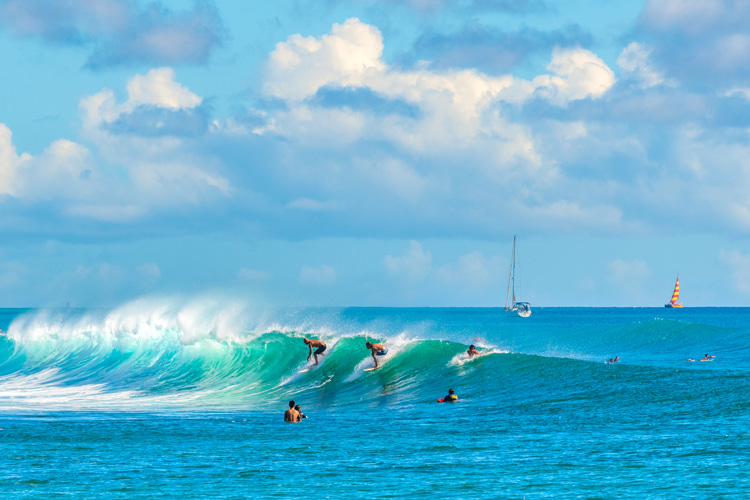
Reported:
(351, 56)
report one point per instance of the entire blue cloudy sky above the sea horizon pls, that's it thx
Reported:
(374, 153)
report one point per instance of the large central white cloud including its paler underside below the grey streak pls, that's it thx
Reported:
(458, 107)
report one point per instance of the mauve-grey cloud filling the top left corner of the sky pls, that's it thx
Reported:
(119, 31)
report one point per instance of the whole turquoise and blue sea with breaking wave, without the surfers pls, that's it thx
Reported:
(158, 400)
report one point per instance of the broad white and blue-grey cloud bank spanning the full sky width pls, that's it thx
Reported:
(349, 145)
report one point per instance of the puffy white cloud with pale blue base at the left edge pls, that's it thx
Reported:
(156, 169)
